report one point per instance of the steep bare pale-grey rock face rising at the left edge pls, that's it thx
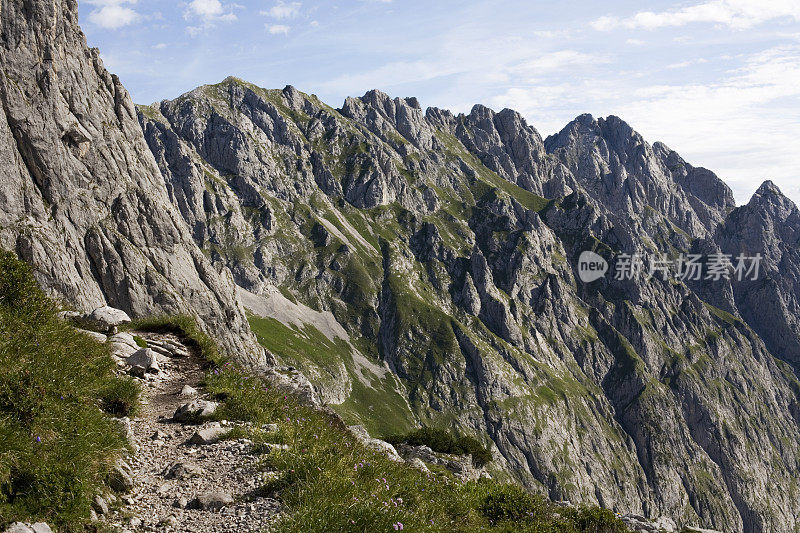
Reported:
(82, 198)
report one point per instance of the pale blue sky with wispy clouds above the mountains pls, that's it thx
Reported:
(716, 80)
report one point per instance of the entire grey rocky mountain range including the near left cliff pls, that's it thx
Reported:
(420, 267)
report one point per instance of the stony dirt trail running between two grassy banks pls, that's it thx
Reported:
(206, 485)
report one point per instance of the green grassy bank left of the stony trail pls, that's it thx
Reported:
(57, 388)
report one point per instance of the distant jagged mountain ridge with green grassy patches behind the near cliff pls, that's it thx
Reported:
(421, 267)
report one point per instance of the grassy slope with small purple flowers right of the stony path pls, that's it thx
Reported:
(330, 482)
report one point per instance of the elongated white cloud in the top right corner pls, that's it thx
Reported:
(736, 14)
